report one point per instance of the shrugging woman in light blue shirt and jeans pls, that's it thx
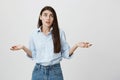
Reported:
(48, 46)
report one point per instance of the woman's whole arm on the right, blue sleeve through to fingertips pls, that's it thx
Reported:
(66, 50)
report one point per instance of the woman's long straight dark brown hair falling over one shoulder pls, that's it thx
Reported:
(55, 30)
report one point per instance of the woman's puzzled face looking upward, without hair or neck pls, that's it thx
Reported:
(47, 18)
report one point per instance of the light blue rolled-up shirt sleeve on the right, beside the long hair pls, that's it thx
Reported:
(64, 46)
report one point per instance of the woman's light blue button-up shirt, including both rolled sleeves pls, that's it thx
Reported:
(42, 48)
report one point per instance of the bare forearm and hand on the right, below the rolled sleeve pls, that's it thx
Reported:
(79, 44)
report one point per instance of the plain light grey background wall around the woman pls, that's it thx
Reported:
(95, 21)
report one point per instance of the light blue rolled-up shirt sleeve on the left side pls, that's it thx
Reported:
(32, 47)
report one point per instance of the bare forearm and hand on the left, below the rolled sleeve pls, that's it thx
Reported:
(19, 47)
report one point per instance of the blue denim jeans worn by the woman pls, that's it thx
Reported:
(52, 72)
